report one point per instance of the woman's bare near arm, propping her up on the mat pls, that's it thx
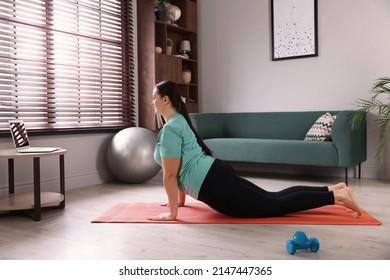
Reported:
(170, 168)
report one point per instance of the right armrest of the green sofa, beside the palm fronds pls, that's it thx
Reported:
(351, 144)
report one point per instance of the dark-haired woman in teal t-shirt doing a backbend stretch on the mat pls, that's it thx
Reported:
(189, 168)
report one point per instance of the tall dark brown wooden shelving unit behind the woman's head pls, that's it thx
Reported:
(153, 33)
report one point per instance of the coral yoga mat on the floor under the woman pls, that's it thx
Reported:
(199, 213)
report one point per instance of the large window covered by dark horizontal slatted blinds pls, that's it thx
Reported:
(67, 64)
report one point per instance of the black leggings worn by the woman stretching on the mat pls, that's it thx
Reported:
(226, 192)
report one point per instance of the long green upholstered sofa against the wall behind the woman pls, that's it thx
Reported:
(279, 138)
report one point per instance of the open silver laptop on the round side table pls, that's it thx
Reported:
(21, 140)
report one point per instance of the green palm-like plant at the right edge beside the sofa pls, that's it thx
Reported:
(381, 88)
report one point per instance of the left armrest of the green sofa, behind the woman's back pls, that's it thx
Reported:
(208, 125)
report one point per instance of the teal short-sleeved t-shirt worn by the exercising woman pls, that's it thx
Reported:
(177, 140)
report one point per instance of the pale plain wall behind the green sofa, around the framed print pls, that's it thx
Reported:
(237, 73)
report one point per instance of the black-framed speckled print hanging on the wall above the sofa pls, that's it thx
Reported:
(294, 29)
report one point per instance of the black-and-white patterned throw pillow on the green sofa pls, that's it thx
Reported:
(321, 129)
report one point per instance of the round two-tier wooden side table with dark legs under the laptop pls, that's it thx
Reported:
(36, 200)
